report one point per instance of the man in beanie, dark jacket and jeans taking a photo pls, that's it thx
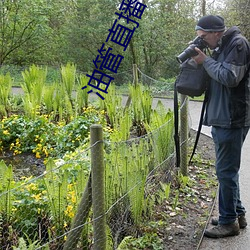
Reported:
(228, 112)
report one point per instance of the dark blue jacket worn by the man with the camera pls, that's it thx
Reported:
(229, 90)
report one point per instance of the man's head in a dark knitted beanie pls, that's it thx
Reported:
(211, 29)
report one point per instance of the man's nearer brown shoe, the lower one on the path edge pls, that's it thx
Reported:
(221, 231)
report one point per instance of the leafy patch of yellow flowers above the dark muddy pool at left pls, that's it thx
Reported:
(43, 137)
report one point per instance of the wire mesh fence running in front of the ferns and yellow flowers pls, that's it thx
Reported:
(55, 210)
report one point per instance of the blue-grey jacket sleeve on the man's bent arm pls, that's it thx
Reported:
(234, 66)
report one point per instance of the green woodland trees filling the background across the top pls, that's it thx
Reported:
(56, 32)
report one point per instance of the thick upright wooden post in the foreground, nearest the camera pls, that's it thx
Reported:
(98, 195)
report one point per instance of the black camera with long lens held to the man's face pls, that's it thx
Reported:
(190, 51)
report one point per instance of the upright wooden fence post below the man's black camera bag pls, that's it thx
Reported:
(184, 135)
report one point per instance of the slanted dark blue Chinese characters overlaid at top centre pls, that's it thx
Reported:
(118, 34)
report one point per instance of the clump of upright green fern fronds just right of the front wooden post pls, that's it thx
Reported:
(126, 172)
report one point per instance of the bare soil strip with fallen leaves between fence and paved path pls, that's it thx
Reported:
(186, 223)
